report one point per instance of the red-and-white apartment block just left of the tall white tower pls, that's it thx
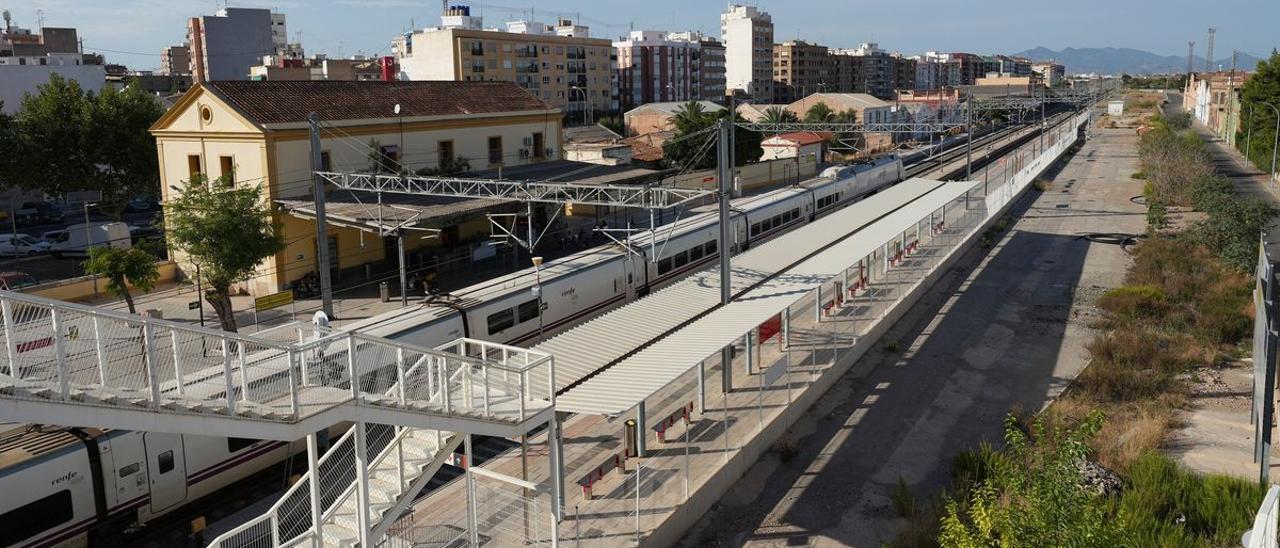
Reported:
(659, 67)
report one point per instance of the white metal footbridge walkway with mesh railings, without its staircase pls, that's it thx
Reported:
(72, 364)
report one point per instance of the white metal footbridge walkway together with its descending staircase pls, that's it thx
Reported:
(412, 407)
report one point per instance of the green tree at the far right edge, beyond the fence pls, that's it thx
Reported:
(1264, 86)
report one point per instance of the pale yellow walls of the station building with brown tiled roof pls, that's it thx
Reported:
(281, 161)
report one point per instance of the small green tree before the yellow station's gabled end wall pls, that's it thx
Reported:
(227, 231)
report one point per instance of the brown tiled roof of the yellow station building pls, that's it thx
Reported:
(287, 102)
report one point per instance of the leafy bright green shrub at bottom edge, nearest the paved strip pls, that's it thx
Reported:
(1034, 495)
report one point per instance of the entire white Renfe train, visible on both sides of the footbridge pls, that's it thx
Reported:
(71, 486)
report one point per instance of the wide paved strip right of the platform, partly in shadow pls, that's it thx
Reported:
(1005, 330)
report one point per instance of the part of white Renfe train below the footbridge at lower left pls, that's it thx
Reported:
(76, 487)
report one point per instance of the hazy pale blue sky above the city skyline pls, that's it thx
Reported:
(138, 30)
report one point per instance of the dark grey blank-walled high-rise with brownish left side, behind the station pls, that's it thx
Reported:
(225, 45)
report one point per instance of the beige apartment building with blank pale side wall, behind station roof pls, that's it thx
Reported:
(561, 66)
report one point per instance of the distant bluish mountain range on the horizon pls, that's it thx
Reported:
(1126, 61)
